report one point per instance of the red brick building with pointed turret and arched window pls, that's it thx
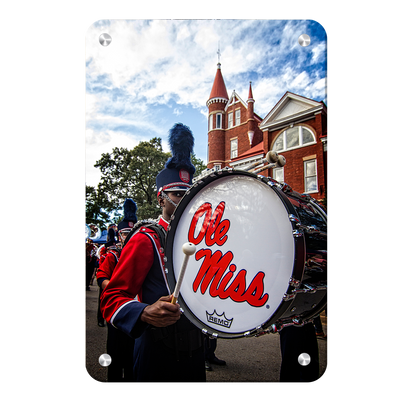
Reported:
(296, 127)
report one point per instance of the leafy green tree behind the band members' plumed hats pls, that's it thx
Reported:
(132, 173)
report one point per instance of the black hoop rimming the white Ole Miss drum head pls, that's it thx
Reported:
(298, 263)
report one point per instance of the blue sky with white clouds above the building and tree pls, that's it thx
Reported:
(159, 71)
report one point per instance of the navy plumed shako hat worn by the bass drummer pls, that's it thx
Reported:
(179, 170)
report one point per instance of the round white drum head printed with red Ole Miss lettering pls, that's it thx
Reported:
(236, 279)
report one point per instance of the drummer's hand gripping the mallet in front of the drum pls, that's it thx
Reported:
(162, 313)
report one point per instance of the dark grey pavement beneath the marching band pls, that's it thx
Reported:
(250, 361)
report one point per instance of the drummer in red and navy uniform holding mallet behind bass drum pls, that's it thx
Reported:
(168, 347)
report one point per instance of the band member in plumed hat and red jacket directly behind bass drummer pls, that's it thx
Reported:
(119, 345)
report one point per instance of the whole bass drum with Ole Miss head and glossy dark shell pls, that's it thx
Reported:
(248, 270)
